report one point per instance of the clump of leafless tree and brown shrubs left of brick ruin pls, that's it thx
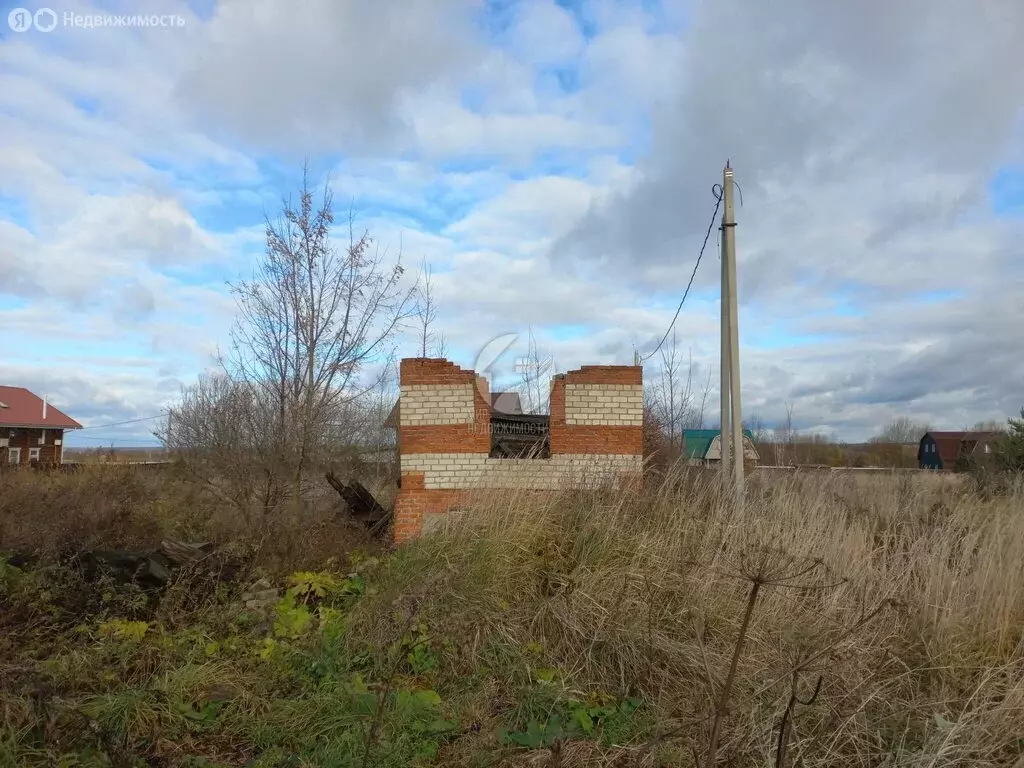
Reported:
(308, 367)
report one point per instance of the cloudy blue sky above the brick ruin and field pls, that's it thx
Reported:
(553, 162)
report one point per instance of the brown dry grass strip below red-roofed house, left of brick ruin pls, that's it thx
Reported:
(52, 516)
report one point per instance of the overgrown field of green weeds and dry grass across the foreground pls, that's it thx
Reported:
(831, 622)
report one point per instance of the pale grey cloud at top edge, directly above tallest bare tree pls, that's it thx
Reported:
(323, 75)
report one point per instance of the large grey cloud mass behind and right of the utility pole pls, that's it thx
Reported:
(865, 137)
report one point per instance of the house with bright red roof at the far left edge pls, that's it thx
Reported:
(31, 430)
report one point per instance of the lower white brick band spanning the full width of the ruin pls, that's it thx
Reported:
(481, 472)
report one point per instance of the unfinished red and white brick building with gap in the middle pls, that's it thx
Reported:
(452, 442)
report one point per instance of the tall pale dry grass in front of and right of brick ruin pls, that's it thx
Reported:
(905, 595)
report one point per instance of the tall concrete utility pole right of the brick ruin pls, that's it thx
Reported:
(731, 337)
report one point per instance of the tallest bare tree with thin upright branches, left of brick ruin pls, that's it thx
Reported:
(313, 321)
